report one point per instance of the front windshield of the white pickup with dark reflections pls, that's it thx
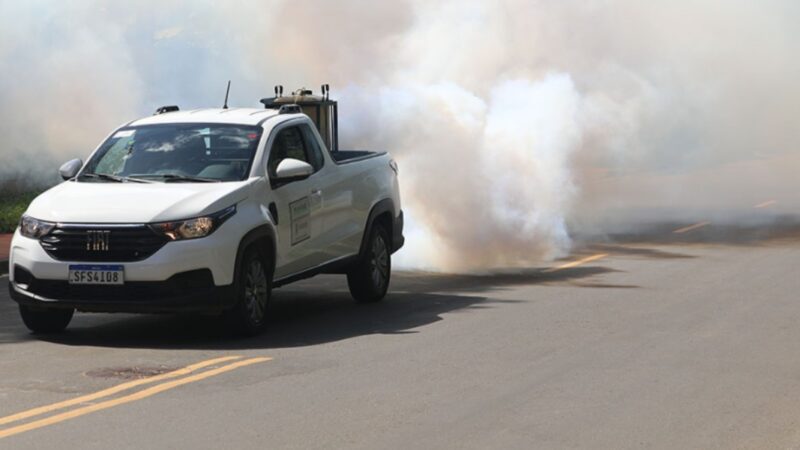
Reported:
(175, 152)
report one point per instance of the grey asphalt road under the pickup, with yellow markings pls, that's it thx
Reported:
(680, 343)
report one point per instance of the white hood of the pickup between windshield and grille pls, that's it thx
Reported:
(108, 202)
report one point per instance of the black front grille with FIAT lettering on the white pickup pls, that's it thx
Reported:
(99, 243)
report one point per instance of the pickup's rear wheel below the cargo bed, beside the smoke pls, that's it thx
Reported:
(369, 279)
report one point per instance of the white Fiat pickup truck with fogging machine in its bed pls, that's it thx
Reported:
(206, 211)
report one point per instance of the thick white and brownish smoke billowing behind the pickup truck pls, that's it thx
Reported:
(516, 124)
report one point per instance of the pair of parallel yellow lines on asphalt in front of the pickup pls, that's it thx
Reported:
(90, 407)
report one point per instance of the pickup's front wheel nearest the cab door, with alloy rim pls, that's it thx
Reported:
(253, 291)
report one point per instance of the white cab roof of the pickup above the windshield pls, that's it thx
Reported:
(239, 116)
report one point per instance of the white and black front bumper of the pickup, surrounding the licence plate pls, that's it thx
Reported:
(190, 276)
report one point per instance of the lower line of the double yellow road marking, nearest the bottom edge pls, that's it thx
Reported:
(128, 398)
